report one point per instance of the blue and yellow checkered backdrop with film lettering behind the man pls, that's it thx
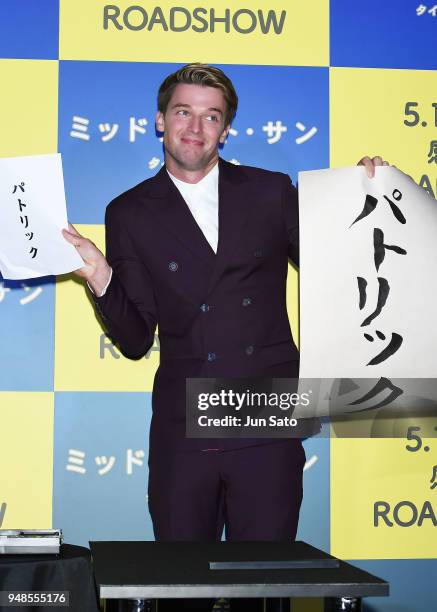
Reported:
(320, 84)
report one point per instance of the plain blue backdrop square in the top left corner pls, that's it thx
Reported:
(29, 29)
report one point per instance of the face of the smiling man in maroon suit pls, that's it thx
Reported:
(193, 127)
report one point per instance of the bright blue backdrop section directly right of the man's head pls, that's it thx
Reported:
(283, 119)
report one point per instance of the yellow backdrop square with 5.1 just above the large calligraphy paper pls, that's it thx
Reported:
(369, 113)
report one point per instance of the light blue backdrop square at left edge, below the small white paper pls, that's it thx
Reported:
(27, 334)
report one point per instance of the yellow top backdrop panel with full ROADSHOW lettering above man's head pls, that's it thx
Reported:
(273, 32)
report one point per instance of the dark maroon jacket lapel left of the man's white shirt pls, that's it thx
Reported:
(171, 211)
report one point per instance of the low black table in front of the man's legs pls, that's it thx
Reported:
(150, 570)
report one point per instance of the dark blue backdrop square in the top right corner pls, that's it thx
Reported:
(383, 34)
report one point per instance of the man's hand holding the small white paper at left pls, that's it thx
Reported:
(96, 270)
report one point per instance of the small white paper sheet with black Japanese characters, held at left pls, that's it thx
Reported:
(32, 214)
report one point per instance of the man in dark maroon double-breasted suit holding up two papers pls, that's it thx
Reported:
(202, 250)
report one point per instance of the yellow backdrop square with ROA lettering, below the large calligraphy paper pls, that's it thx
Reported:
(383, 505)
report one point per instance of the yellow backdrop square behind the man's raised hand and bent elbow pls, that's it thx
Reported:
(85, 358)
